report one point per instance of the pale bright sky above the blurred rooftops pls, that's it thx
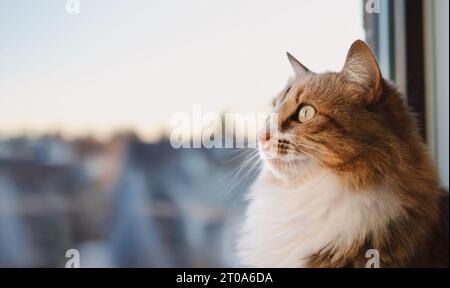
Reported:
(132, 64)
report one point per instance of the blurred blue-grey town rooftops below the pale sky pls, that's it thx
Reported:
(121, 202)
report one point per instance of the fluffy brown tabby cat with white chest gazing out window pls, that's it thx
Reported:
(347, 173)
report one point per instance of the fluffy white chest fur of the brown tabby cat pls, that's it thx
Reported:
(284, 225)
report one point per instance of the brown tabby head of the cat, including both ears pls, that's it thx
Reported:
(326, 119)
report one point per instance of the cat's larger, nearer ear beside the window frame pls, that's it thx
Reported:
(361, 68)
